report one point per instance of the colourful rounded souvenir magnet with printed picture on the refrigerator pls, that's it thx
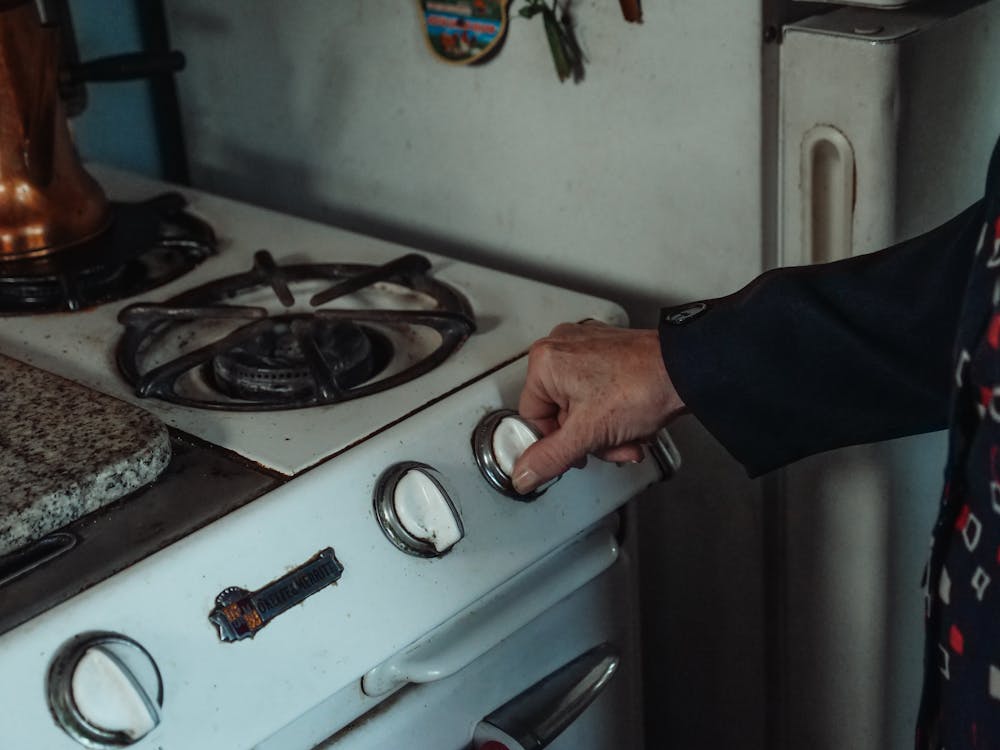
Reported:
(465, 31)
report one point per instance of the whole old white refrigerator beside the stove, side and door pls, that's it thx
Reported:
(703, 146)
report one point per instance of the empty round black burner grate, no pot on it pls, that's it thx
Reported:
(204, 349)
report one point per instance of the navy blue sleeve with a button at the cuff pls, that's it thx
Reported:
(813, 358)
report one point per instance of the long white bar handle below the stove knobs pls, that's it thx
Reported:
(471, 633)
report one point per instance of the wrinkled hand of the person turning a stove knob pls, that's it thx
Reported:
(592, 389)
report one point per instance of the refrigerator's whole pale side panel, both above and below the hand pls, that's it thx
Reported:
(642, 183)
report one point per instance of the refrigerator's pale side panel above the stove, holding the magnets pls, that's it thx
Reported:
(644, 177)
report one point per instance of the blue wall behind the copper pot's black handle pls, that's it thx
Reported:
(118, 126)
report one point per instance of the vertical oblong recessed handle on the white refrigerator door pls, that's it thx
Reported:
(827, 195)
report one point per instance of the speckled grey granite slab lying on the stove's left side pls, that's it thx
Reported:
(66, 450)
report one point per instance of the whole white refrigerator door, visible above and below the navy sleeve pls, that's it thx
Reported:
(887, 122)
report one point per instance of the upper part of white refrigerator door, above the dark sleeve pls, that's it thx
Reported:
(887, 123)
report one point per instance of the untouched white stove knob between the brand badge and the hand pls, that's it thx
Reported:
(416, 511)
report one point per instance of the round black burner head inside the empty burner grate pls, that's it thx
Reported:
(295, 355)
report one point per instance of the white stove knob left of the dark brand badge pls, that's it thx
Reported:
(105, 690)
